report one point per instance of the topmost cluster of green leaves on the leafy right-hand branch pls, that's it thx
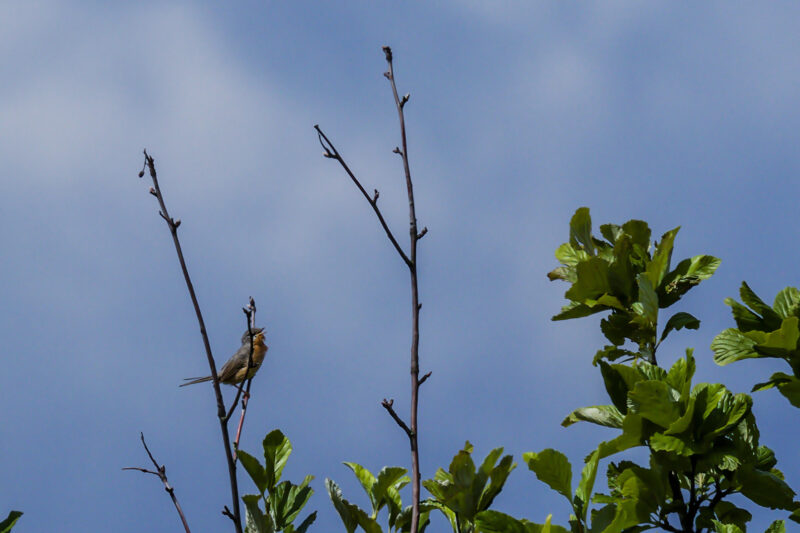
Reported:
(624, 273)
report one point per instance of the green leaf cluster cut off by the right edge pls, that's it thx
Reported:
(764, 331)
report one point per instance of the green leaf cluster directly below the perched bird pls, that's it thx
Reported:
(283, 500)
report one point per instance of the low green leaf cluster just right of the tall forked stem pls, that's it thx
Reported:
(464, 490)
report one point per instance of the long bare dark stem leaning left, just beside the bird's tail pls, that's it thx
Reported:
(223, 421)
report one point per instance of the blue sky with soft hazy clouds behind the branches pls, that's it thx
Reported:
(520, 112)
